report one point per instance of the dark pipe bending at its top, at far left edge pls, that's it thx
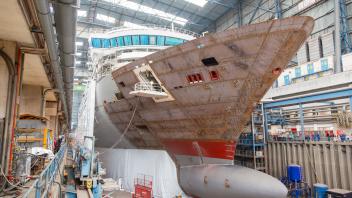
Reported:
(11, 92)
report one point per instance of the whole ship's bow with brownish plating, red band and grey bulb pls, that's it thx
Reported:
(212, 85)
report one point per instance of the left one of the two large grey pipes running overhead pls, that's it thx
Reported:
(45, 19)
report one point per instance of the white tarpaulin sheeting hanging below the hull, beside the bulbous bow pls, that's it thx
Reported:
(127, 164)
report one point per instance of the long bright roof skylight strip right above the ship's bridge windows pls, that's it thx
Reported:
(148, 10)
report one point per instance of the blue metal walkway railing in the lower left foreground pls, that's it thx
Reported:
(42, 184)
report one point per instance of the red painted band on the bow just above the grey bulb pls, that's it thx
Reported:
(206, 148)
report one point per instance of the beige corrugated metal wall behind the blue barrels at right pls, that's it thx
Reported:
(322, 162)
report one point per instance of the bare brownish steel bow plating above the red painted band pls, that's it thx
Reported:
(250, 59)
